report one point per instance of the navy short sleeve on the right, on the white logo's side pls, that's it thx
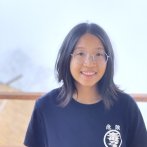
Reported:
(137, 134)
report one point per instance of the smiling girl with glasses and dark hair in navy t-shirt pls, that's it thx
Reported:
(88, 110)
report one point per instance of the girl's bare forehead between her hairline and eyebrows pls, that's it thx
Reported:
(89, 41)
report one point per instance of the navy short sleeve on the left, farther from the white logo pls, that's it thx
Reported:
(35, 134)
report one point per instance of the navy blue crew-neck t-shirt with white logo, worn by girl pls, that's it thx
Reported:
(86, 125)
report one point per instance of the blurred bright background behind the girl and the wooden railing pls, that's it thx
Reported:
(31, 32)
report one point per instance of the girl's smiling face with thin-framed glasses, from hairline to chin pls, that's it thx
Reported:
(88, 62)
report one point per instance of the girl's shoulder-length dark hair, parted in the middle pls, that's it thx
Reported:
(106, 87)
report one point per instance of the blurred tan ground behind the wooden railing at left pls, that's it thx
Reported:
(14, 118)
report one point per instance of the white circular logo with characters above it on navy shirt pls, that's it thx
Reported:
(112, 137)
